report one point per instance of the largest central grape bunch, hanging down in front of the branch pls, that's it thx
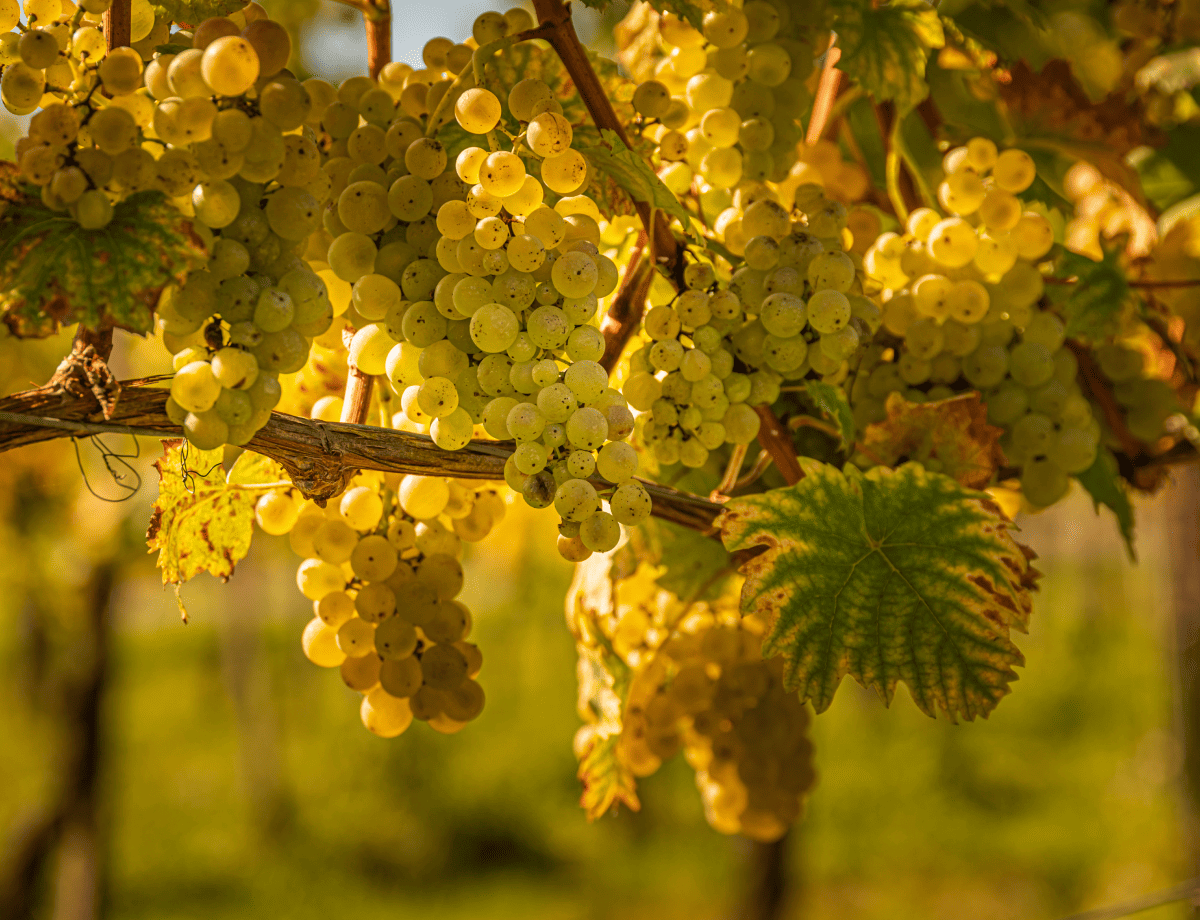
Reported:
(481, 303)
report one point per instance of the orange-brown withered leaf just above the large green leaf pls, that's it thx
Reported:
(951, 436)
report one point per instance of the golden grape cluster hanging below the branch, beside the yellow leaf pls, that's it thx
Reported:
(382, 569)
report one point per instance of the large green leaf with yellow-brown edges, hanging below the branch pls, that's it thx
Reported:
(887, 576)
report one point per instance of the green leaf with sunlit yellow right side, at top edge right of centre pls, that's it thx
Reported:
(886, 47)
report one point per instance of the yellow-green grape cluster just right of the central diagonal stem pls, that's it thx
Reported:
(793, 308)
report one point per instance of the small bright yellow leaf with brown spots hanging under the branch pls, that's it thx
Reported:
(200, 524)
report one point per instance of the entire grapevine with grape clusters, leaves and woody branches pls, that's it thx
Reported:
(740, 310)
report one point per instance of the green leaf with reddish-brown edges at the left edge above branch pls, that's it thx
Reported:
(55, 273)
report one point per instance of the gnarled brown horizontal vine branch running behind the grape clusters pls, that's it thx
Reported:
(319, 456)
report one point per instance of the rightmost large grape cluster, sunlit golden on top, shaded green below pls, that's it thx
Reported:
(963, 296)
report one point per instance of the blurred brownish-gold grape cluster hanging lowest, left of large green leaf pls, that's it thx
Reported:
(710, 691)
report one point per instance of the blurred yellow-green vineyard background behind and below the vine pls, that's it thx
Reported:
(237, 780)
